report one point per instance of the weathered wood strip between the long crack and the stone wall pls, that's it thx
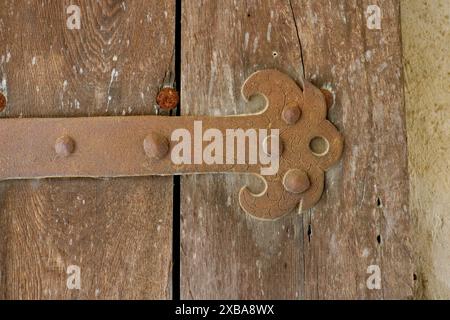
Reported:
(363, 219)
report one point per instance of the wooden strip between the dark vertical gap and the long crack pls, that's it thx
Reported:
(225, 253)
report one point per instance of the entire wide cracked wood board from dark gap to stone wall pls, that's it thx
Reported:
(363, 218)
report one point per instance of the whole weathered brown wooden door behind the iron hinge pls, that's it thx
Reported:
(117, 233)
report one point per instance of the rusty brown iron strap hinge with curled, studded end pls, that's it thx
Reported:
(145, 145)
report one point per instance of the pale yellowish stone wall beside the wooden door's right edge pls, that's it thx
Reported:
(426, 45)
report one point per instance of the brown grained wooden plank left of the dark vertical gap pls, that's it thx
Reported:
(117, 231)
